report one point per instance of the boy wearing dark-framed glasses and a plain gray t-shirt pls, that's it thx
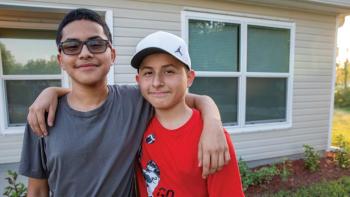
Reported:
(98, 128)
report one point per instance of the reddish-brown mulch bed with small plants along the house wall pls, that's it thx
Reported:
(300, 176)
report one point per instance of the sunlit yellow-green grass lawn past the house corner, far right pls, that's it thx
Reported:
(341, 123)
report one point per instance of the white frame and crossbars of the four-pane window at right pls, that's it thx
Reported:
(242, 75)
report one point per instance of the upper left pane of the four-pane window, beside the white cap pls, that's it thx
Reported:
(214, 46)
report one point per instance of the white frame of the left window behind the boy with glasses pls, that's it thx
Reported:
(13, 130)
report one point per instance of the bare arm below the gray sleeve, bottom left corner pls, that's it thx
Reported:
(38, 187)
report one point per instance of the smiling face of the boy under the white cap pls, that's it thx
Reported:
(164, 80)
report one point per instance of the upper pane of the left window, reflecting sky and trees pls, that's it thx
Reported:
(28, 52)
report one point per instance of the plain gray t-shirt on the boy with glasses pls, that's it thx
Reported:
(90, 153)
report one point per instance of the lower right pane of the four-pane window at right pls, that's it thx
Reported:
(266, 100)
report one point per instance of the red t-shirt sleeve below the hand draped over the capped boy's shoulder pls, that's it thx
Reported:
(226, 182)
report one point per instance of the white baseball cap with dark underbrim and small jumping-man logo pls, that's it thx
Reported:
(161, 41)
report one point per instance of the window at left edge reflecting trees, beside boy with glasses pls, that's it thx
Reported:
(28, 65)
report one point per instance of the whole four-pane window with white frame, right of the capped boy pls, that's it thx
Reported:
(245, 65)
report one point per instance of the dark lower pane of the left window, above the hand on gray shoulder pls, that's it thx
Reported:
(21, 94)
